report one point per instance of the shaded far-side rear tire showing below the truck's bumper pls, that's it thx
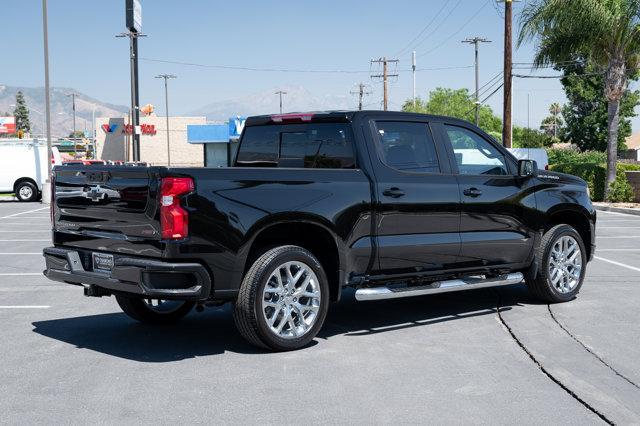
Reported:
(141, 310)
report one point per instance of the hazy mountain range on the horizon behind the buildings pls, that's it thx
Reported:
(297, 98)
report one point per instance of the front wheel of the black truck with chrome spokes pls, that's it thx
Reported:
(546, 286)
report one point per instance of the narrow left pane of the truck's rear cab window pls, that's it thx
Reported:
(259, 146)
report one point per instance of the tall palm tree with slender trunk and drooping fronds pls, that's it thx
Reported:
(606, 32)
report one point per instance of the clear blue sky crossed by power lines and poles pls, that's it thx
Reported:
(309, 35)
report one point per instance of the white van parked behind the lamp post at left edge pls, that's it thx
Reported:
(23, 167)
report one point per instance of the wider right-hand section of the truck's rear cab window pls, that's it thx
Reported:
(319, 146)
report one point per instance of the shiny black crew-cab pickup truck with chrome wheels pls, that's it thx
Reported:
(390, 204)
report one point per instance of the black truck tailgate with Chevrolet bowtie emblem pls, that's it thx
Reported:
(107, 208)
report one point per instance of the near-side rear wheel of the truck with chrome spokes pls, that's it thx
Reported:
(296, 307)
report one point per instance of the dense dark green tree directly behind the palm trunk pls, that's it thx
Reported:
(586, 112)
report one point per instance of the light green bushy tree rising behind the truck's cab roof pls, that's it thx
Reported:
(455, 103)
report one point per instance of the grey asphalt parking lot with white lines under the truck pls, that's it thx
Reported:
(481, 356)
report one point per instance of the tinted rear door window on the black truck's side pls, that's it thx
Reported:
(407, 146)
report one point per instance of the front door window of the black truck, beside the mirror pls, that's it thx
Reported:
(474, 155)
